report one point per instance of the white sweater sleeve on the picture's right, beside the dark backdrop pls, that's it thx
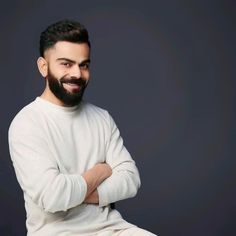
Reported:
(124, 181)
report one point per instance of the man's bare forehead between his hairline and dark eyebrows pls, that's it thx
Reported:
(73, 51)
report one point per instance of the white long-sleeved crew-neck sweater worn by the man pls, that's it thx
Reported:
(51, 147)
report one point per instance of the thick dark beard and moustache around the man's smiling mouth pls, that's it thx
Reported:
(68, 98)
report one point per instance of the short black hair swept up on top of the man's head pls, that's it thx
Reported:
(65, 30)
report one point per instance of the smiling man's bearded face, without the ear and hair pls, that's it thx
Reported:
(68, 71)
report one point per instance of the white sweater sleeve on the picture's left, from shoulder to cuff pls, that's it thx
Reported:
(38, 173)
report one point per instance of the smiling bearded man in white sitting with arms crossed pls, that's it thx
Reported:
(68, 155)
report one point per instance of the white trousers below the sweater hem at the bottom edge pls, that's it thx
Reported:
(134, 231)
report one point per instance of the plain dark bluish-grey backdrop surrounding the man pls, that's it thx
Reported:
(165, 70)
